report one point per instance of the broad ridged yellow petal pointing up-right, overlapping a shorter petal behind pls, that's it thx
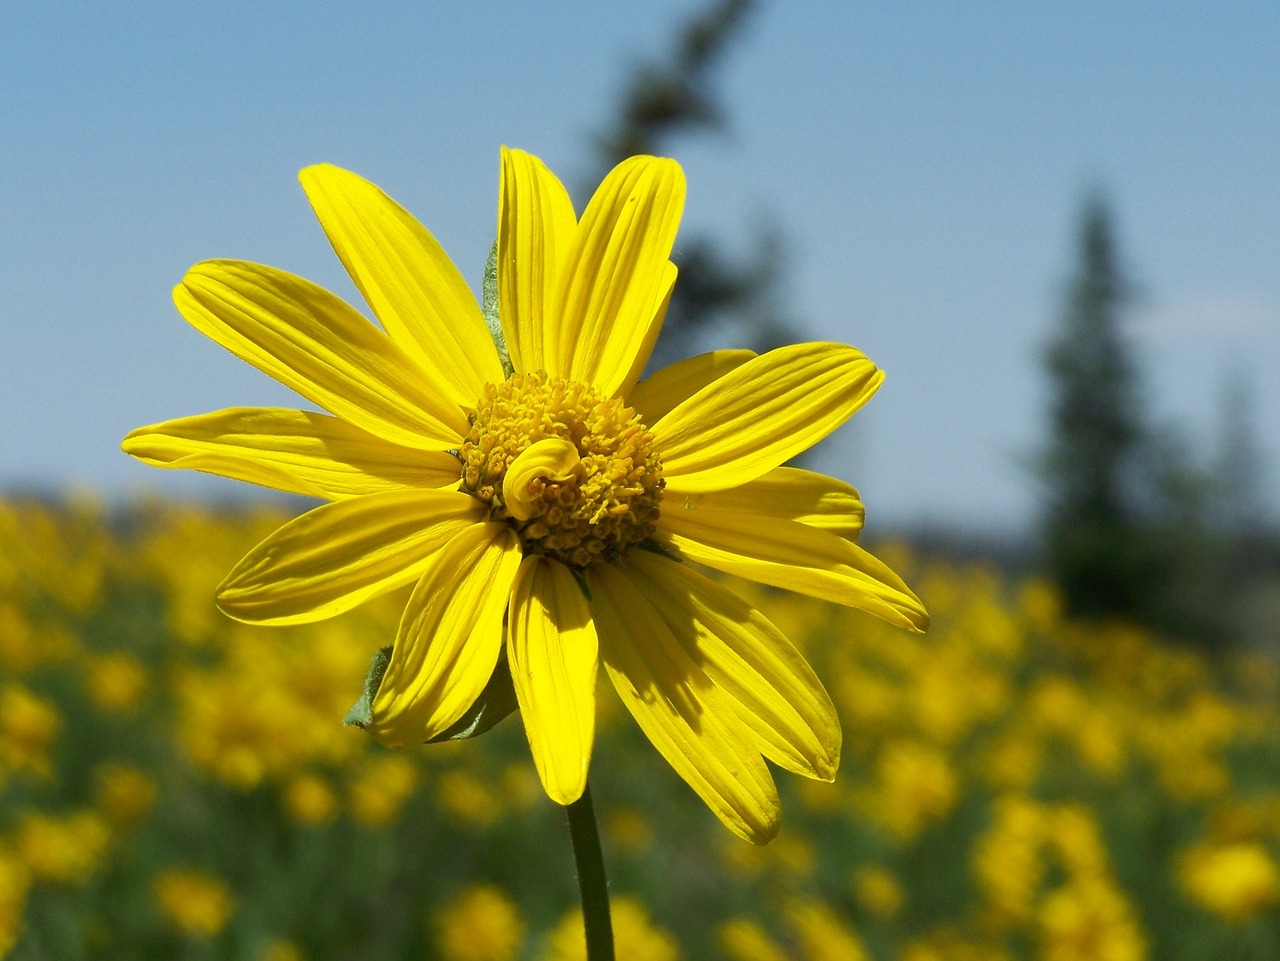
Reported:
(762, 414)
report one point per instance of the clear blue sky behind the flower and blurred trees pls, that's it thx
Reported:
(926, 162)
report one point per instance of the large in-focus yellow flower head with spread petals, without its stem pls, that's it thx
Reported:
(545, 511)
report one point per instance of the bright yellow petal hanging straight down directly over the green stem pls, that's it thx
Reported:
(554, 656)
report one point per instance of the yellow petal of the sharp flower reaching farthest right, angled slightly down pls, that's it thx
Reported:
(792, 556)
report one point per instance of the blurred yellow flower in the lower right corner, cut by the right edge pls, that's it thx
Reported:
(1236, 881)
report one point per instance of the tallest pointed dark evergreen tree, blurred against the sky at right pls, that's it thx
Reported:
(1095, 536)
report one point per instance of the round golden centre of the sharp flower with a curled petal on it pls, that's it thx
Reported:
(574, 473)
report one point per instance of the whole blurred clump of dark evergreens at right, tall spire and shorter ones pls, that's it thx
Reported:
(1139, 520)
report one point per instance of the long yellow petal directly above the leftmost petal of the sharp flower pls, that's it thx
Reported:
(314, 344)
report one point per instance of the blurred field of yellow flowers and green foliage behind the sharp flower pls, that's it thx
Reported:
(175, 785)
